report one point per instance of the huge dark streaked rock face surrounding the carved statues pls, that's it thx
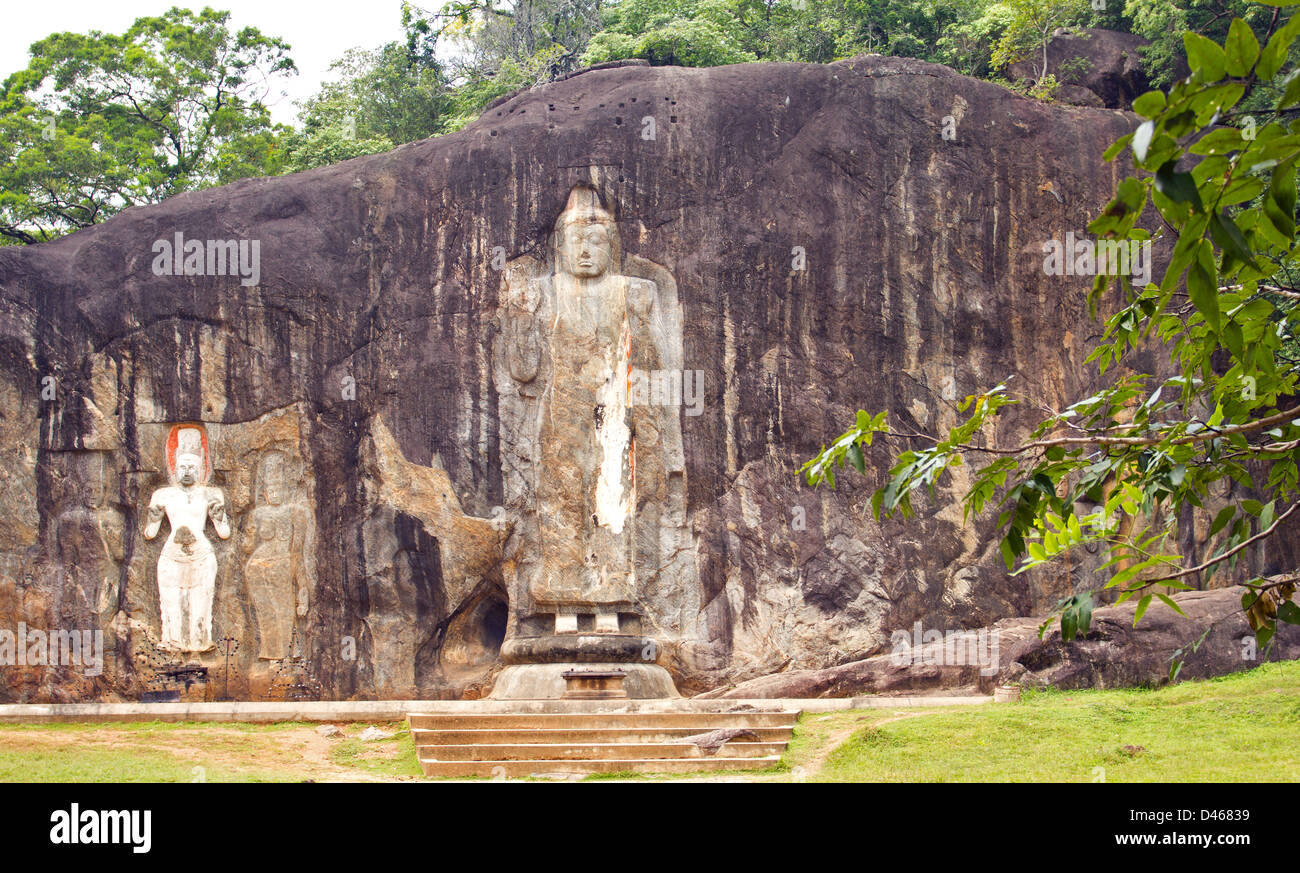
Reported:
(344, 340)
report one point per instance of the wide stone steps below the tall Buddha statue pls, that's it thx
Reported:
(579, 744)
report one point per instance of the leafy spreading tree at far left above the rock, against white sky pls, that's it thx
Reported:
(98, 123)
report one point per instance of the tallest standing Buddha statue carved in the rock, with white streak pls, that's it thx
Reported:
(574, 329)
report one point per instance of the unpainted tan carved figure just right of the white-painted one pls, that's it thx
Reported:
(280, 563)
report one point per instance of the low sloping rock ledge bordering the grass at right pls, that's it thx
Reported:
(1212, 640)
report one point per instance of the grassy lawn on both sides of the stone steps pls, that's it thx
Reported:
(1232, 729)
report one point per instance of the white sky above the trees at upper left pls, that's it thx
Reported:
(318, 32)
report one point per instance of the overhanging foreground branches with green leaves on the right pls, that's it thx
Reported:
(1119, 467)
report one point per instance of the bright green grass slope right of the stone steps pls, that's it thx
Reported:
(1232, 729)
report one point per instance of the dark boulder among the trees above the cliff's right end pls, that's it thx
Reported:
(1095, 68)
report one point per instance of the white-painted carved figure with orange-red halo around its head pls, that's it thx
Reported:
(188, 567)
